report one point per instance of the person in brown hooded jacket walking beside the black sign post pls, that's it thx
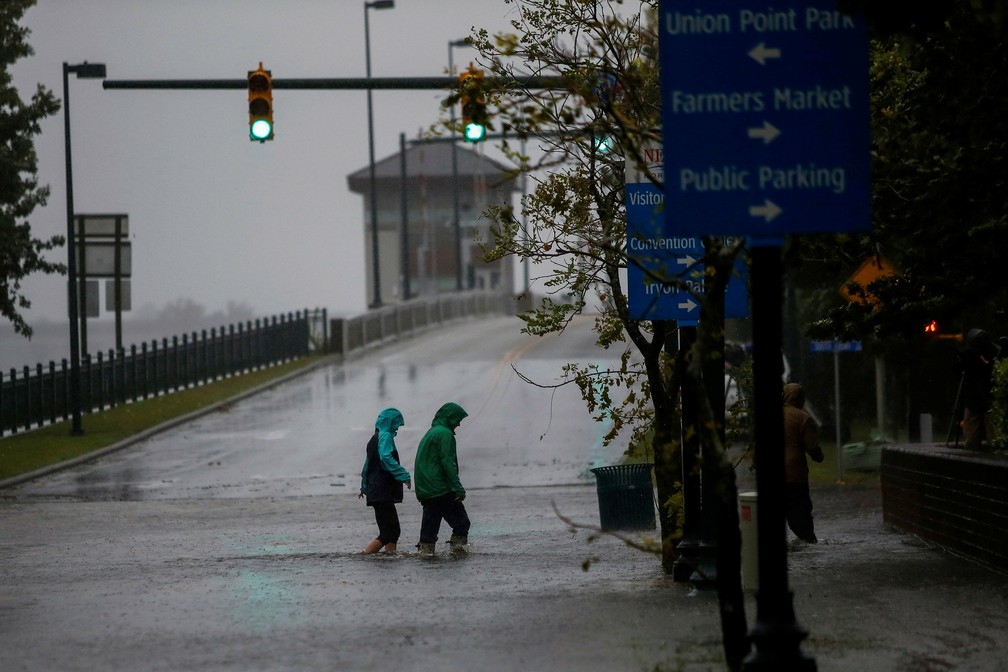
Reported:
(801, 439)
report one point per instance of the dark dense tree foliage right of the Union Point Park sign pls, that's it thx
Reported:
(940, 161)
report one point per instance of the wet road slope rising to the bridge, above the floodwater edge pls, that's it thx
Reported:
(308, 437)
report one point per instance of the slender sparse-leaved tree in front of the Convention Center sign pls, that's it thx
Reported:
(601, 106)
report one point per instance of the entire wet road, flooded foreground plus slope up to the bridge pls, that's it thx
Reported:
(232, 544)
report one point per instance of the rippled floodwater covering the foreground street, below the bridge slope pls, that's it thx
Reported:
(280, 585)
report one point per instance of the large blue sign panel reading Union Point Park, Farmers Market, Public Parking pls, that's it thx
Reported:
(766, 112)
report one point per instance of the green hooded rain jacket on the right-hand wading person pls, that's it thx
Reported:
(436, 470)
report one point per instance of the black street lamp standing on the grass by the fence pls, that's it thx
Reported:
(88, 72)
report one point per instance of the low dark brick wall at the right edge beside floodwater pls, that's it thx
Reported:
(952, 497)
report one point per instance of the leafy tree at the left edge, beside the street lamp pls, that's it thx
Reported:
(21, 254)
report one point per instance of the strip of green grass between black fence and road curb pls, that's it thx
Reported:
(36, 450)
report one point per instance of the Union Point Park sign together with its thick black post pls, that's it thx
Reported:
(766, 113)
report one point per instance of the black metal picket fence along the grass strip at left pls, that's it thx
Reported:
(40, 397)
